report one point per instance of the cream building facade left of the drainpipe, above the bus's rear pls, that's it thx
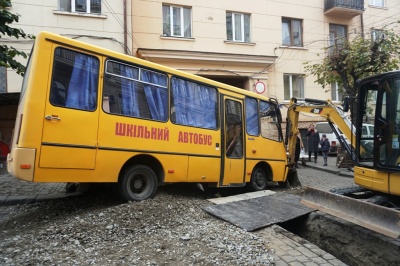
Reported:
(103, 23)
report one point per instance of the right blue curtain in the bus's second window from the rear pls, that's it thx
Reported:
(156, 96)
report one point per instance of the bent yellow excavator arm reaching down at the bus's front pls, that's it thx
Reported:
(333, 114)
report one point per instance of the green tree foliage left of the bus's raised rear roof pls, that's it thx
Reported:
(8, 54)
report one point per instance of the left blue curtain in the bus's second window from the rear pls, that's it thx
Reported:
(130, 105)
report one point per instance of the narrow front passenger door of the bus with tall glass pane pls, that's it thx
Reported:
(233, 143)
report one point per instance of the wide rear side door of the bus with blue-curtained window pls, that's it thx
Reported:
(70, 120)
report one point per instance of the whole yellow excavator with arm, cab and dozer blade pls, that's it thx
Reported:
(376, 157)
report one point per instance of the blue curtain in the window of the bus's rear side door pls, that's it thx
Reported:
(82, 89)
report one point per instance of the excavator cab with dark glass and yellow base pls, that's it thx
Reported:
(379, 161)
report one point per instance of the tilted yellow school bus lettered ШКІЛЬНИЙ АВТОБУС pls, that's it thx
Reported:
(88, 114)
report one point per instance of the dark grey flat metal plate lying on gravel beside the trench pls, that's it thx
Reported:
(256, 213)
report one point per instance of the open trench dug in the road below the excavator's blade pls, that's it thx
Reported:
(348, 242)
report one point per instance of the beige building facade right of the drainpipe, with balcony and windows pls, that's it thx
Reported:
(248, 43)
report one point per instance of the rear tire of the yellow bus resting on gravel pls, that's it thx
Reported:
(137, 183)
